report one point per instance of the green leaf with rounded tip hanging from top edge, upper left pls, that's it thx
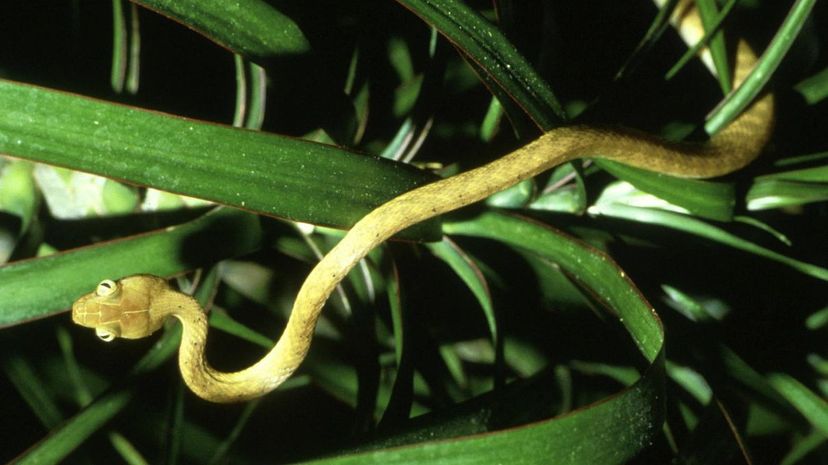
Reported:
(249, 27)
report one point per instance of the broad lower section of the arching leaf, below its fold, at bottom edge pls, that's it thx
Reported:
(572, 439)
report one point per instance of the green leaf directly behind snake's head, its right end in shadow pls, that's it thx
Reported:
(39, 287)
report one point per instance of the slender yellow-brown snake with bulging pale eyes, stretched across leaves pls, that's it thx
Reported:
(136, 306)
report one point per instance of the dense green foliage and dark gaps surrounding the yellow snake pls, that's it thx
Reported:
(596, 314)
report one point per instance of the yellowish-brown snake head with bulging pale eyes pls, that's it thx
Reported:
(120, 308)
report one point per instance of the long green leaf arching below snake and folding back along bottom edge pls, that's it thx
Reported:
(629, 420)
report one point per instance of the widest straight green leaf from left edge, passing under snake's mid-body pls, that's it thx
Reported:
(264, 173)
